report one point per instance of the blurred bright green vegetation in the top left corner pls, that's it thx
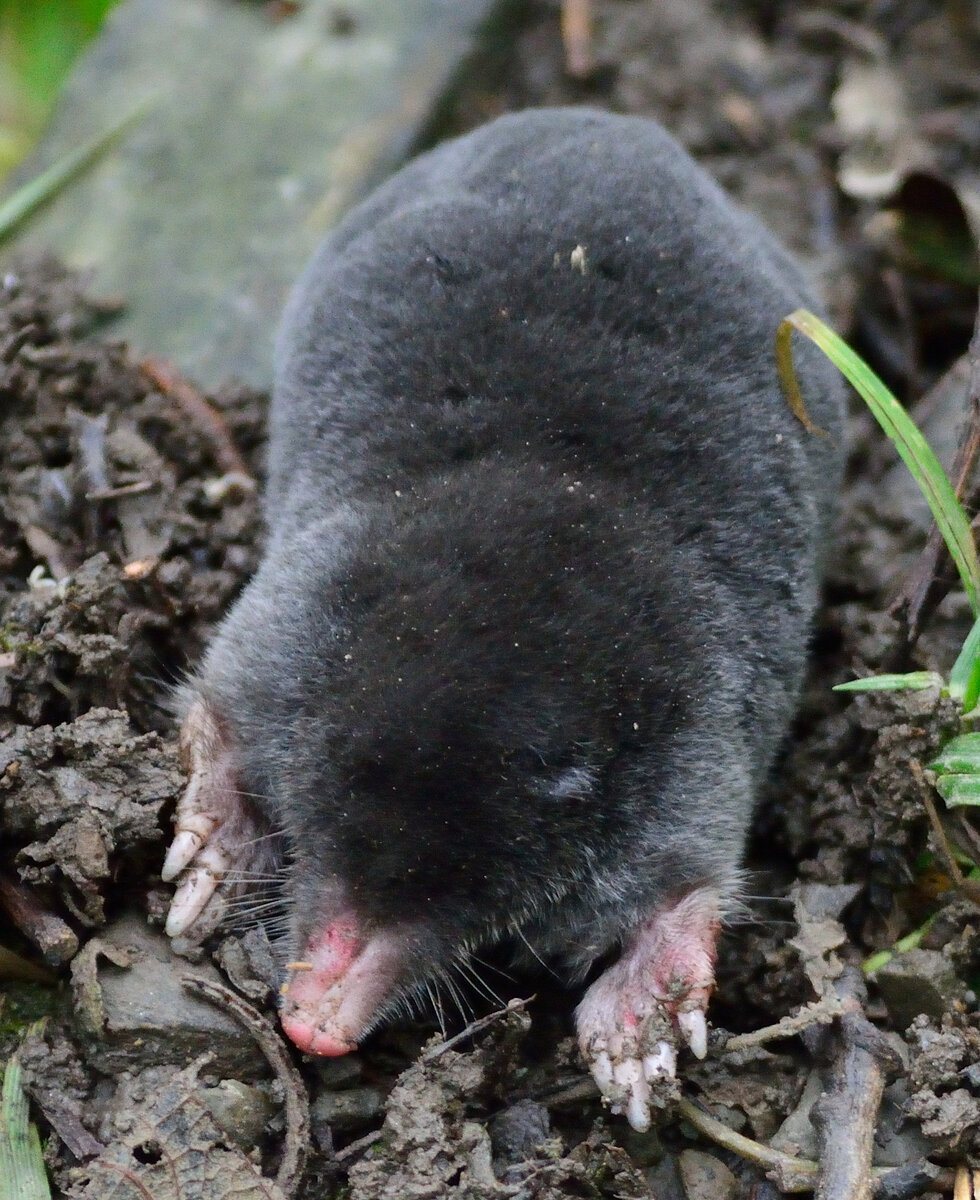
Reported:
(39, 43)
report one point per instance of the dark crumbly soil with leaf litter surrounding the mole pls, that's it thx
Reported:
(130, 519)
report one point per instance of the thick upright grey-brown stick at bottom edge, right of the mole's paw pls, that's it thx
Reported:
(847, 1112)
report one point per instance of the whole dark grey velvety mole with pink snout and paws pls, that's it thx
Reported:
(534, 609)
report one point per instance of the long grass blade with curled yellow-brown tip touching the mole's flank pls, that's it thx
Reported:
(900, 429)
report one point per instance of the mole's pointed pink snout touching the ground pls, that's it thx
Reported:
(333, 1000)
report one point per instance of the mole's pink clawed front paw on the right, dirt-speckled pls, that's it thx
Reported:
(630, 1019)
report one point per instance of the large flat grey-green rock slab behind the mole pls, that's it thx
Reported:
(260, 135)
